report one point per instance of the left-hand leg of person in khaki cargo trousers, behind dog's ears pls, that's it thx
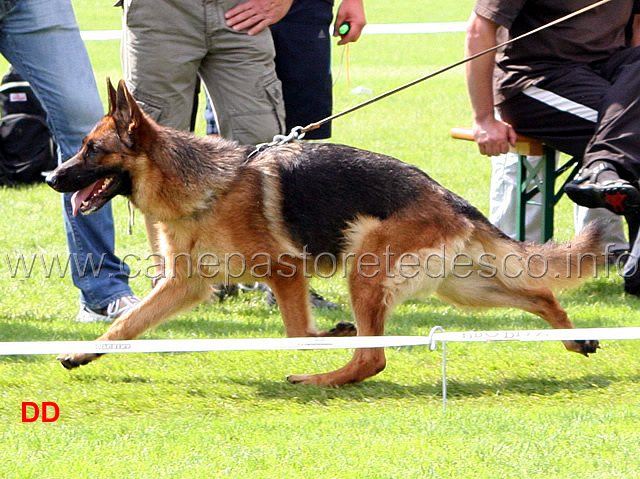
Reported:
(162, 46)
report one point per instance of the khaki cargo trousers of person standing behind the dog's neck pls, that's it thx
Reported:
(167, 43)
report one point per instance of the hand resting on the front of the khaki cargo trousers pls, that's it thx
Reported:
(256, 15)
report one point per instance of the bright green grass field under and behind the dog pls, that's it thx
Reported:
(527, 410)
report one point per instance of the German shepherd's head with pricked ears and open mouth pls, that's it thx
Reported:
(104, 165)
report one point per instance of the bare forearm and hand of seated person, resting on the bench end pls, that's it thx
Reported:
(493, 136)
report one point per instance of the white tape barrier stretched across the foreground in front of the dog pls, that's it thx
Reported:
(12, 348)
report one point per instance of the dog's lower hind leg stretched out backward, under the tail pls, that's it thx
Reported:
(491, 293)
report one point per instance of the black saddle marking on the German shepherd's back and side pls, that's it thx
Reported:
(328, 186)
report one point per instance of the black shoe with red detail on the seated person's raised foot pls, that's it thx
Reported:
(599, 186)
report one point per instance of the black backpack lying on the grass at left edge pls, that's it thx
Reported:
(27, 148)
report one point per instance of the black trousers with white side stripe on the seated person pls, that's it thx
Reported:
(588, 110)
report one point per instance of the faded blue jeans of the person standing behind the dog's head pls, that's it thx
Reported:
(41, 39)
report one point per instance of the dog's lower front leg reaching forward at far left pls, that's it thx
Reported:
(169, 297)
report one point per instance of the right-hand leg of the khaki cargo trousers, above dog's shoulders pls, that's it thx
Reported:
(239, 75)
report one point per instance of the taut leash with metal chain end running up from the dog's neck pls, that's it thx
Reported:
(298, 132)
